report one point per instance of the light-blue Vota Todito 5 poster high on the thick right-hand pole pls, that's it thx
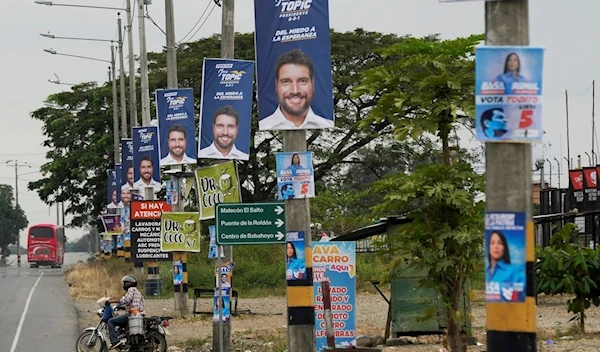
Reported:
(508, 90)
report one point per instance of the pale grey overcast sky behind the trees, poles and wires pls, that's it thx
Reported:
(567, 29)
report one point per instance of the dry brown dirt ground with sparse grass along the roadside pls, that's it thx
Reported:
(266, 317)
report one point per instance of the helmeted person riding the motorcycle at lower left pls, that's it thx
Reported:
(133, 301)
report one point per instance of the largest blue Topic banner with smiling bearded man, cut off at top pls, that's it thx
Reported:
(293, 63)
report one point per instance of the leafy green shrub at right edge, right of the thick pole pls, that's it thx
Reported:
(565, 268)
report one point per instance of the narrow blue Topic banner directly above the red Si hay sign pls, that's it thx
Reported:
(146, 170)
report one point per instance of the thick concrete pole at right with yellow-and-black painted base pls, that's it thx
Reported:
(511, 326)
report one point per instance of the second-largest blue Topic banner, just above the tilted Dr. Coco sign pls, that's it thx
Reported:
(226, 109)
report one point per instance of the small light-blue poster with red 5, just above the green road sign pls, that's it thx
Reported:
(295, 175)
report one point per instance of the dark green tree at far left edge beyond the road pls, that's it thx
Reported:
(12, 220)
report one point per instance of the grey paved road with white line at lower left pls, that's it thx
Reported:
(38, 313)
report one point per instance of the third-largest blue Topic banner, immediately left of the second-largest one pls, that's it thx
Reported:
(176, 126)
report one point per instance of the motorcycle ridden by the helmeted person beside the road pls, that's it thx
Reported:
(153, 338)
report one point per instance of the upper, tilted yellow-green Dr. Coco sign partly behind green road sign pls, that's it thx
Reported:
(217, 184)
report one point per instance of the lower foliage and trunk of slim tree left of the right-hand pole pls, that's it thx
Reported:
(445, 236)
